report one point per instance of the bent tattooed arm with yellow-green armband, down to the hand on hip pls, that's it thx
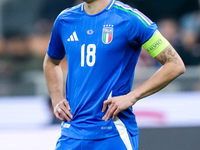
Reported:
(172, 67)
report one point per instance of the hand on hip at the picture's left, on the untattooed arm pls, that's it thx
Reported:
(62, 111)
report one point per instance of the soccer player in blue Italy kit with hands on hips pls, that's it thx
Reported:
(102, 40)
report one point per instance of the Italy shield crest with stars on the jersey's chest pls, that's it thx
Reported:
(107, 34)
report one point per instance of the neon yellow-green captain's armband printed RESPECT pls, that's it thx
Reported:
(156, 44)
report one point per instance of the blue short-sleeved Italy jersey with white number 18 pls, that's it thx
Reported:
(102, 51)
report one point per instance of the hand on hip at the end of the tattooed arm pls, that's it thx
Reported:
(116, 105)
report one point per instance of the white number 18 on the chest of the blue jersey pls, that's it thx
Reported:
(90, 57)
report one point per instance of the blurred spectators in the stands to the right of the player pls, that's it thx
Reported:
(183, 34)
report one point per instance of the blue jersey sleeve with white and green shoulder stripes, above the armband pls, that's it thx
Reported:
(140, 28)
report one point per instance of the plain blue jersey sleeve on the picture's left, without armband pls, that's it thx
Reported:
(56, 49)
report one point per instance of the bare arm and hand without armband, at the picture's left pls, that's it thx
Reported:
(54, 79)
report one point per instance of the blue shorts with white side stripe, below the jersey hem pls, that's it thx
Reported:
(116, 143)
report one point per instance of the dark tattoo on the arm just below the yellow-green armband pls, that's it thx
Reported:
(168, 55)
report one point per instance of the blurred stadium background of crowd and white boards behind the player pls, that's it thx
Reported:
(167, 120)
